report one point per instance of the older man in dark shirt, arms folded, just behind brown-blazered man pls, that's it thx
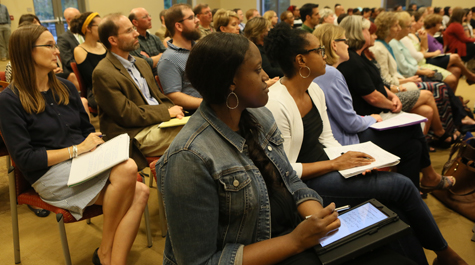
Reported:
(151, 47)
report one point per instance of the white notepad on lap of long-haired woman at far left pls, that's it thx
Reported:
(106, 155)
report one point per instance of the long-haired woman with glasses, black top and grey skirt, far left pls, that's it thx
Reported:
(44, 125)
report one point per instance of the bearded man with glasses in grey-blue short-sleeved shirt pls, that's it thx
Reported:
(182, 24)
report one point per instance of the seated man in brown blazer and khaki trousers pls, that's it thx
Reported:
(127, 95)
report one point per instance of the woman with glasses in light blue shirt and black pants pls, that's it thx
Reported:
(350, 128)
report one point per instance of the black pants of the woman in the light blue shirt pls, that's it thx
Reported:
(408, 143)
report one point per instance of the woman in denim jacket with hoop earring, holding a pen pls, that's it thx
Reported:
(225, 178)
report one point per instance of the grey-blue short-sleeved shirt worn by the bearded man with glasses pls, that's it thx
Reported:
(171, 71)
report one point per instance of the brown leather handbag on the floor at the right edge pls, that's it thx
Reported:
(461, 197)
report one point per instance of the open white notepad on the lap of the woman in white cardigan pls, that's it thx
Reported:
(382, 157)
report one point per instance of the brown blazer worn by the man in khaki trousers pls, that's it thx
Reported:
(122, 106)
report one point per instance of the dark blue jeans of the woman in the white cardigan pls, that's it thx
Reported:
(391, 189)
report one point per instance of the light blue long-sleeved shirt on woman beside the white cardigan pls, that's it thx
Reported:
(344, 121)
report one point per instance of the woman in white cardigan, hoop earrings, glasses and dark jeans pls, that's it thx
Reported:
(298, 105)
